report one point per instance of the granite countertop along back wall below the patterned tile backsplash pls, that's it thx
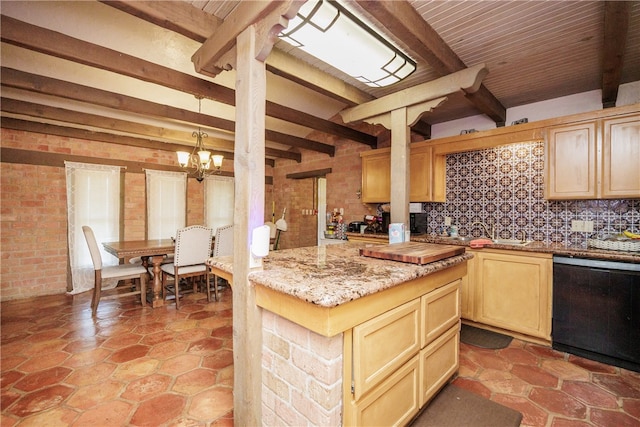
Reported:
(553, 248)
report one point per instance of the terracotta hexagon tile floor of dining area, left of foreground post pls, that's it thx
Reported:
(130, 366)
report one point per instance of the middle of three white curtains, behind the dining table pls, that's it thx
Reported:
(166, 203)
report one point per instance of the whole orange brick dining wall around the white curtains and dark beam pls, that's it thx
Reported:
(33, 229)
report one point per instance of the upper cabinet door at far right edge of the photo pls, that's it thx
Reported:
(621, 158)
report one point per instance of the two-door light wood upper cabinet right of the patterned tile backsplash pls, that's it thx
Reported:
(595, 159)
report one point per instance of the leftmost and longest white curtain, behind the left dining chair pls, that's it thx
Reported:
(93, 199)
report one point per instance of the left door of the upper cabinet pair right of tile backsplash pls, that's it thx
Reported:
(571, 162)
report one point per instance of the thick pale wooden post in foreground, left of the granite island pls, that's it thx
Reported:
(249, 213)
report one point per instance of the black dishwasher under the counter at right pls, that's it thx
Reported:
(596, 310)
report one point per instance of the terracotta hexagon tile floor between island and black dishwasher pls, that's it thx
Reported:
(551, 388)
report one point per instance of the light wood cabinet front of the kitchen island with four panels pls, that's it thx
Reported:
(401, 358)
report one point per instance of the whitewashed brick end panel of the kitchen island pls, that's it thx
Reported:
(301, 375)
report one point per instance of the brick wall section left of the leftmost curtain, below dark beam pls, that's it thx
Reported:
(33, 231)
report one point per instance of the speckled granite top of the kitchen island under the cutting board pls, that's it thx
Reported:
(328, 276)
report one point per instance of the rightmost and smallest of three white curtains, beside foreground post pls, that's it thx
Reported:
(218, 201)
